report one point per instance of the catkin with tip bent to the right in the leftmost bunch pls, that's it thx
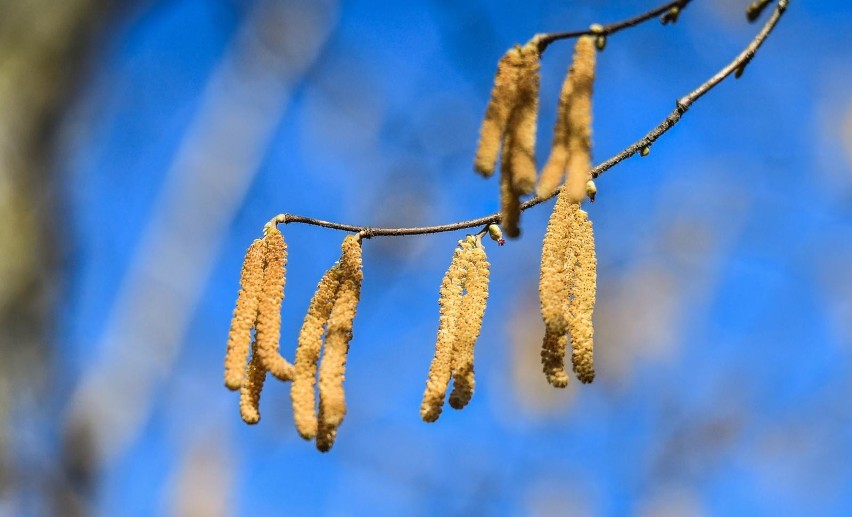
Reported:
(268, 330)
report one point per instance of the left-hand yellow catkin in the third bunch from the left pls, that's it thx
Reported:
(440, 370)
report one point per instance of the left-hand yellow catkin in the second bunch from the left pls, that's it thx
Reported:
(302, 391)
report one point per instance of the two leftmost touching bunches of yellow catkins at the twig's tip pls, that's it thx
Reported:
(328, 323)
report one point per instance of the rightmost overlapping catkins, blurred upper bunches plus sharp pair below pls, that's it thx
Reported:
(568, 264)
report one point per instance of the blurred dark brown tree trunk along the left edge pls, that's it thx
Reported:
(43, 51)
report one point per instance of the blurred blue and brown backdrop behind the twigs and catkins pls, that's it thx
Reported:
(143, 144)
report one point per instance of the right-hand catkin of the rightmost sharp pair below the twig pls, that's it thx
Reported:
(583, 301)
